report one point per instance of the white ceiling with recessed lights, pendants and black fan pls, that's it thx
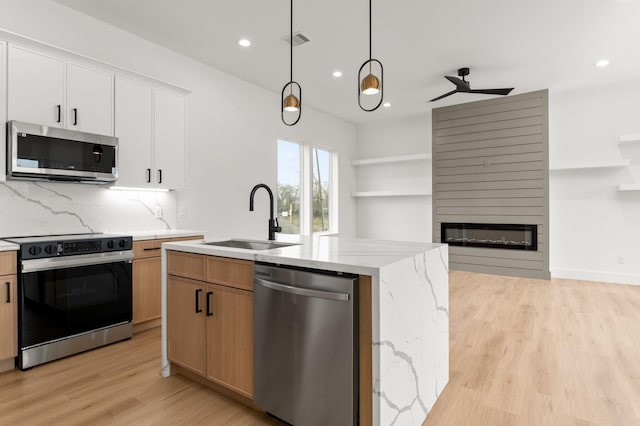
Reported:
(528, 45)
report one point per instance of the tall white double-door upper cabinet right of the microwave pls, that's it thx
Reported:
(150, 126)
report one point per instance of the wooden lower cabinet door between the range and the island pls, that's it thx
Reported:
(146, 289)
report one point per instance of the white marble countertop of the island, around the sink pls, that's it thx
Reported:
(330, 253)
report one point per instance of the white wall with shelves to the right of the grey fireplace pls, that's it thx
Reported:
(591, 223)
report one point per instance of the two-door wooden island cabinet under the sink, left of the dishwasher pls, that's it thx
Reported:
(225, 309)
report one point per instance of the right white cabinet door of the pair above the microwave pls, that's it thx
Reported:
(89, 100)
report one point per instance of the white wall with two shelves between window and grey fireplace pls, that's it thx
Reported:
(395, 218)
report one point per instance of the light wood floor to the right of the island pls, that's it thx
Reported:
(534, 352)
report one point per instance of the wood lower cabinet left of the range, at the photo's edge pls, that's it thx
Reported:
(8, 310)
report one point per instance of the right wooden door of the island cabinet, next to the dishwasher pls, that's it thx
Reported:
(230, 338)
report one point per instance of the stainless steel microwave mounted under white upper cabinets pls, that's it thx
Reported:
(50, 153)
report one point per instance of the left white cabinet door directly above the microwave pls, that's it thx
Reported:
(36, 88)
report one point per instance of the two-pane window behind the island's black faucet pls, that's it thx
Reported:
(306, 189)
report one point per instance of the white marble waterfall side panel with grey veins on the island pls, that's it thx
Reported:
(413, 347)
